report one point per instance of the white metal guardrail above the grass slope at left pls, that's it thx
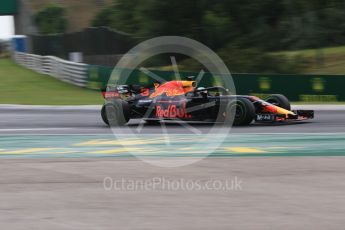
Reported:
(70, 72)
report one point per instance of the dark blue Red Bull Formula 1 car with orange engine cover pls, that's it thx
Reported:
(183, 101)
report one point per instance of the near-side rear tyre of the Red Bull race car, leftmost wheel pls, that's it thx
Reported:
(115, 113)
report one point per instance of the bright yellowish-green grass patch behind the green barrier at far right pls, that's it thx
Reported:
(330, 60)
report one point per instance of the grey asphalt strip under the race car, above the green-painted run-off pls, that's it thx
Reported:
(88, 121)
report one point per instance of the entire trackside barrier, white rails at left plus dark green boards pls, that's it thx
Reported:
(304, 88)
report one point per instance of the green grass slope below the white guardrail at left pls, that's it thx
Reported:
(19, 85)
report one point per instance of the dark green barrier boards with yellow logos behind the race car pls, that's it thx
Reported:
(297, 87)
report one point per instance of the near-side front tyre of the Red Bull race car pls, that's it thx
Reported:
(240, 111)
